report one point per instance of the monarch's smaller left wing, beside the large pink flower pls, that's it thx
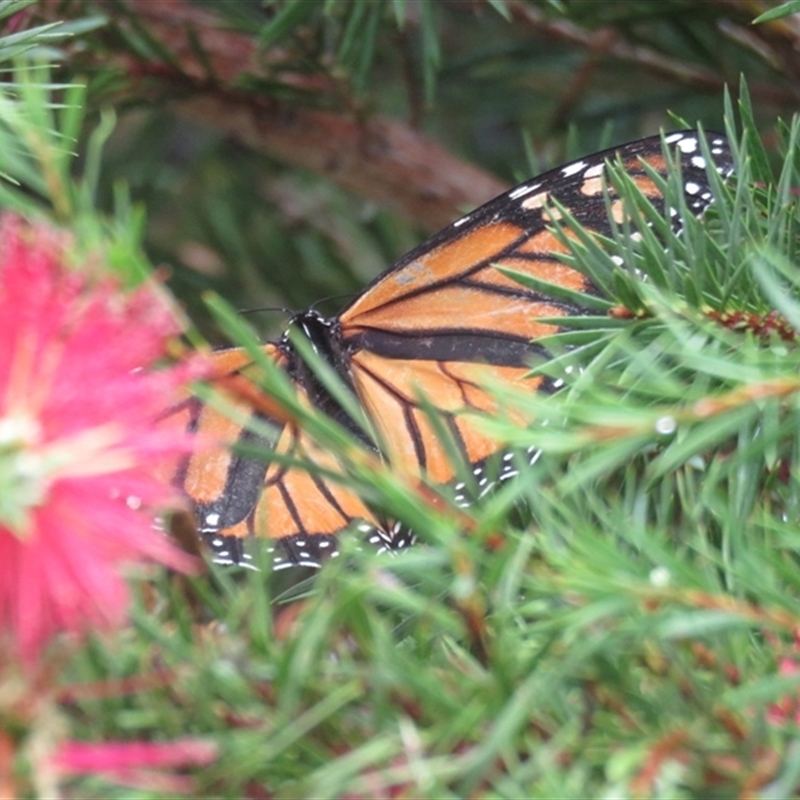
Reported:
(236, 497)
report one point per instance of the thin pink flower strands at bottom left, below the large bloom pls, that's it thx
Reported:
(137, 764)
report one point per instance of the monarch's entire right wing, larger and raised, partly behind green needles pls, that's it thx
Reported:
(444, 320)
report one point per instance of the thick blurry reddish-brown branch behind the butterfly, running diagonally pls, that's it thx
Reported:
(381, 159)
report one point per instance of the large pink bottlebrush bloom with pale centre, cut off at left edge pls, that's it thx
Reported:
(78, 446)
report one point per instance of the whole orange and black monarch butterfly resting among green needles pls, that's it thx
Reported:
(442, 321)
